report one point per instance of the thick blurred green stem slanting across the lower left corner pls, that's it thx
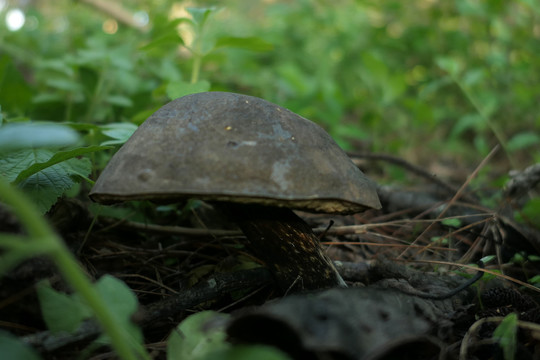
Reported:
(42, 236)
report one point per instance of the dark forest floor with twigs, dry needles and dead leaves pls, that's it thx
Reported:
(401, 264)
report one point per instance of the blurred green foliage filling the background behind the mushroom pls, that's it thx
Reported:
(427, 80)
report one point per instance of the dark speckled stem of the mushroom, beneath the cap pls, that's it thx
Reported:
(287, 245)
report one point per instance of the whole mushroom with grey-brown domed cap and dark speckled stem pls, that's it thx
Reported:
(256, 161)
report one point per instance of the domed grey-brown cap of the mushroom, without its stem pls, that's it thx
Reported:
(219, 146)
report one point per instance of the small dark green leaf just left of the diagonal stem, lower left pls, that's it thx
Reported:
(61, 312)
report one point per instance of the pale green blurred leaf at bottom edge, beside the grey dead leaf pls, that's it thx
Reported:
(198, 336)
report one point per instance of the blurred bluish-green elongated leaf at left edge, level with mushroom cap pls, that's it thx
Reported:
(16, 136)
